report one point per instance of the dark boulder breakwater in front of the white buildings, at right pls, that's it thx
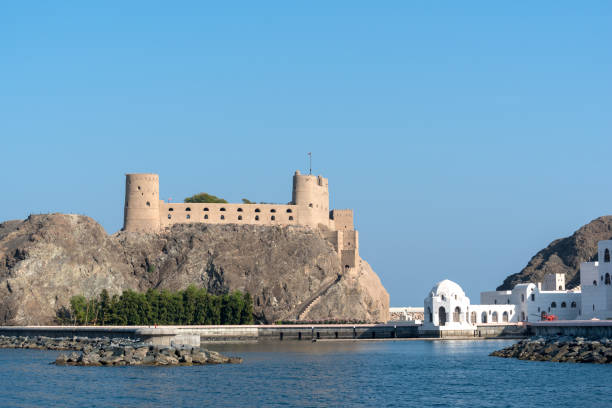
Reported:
(560, 349)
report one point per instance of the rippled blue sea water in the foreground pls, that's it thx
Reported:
(399, 373)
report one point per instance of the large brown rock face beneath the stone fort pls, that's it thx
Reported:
(289, 271)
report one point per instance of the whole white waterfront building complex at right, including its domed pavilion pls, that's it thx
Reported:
(448, 309)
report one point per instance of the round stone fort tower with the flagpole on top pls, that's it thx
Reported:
(311, 195)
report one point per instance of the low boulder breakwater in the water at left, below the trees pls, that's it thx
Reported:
(117, 352)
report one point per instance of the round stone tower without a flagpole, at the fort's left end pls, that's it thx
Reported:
(141, 211)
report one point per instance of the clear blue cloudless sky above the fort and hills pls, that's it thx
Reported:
(466, 135)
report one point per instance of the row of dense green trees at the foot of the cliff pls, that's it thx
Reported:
(192, 306)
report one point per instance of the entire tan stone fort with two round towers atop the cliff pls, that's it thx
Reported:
(309, 207)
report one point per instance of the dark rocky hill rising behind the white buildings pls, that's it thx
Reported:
(564, 255)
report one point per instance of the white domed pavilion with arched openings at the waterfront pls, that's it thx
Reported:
(446, 308)
